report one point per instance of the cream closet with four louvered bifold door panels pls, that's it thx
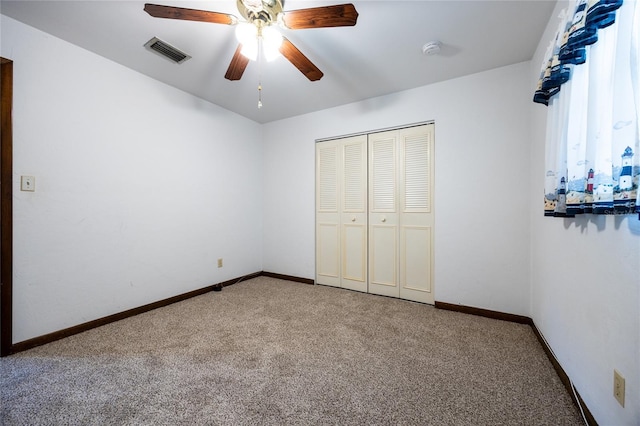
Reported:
(374, 213)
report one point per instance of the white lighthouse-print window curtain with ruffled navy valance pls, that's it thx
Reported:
(590, 82)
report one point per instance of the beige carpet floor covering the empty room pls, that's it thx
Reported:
(274, 352)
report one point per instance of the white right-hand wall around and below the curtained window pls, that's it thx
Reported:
(586, 286)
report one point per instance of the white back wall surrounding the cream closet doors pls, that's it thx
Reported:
(481, 176)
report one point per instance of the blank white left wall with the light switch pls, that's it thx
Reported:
(139, 187)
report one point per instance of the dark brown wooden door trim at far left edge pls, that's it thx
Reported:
(6, 210)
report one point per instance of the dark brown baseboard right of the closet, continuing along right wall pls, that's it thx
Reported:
(521, 319)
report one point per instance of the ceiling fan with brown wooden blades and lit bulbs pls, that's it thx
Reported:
(260, 17)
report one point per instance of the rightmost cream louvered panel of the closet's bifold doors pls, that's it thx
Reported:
(416, 213)
